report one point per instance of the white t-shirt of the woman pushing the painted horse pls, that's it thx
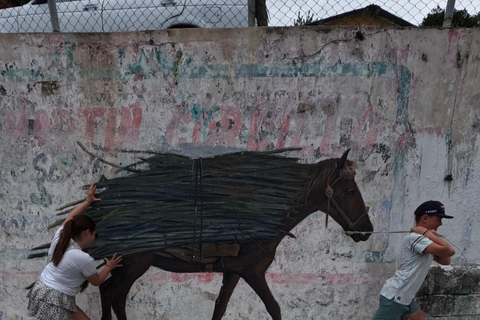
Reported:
(72, 270)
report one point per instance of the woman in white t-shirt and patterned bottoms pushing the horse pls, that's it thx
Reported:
(53, 295)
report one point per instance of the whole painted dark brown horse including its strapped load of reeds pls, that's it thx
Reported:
(225, 214)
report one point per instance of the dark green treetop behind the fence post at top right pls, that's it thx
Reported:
(460, 19)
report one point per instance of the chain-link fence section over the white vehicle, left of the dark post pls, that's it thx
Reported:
(124, 15)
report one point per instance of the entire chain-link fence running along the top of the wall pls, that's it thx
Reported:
(134, 15)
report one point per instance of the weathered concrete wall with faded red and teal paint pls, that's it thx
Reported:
(406, 101)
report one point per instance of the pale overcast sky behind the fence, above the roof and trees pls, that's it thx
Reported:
(284, 12)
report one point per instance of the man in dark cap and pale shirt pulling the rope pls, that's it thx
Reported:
(419, 248)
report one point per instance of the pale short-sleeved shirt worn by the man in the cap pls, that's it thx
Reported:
(413, 269)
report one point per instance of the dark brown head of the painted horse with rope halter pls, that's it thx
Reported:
(340, 197)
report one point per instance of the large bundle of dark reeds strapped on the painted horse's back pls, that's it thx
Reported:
(170, 201)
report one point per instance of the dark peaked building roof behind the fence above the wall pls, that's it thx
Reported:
(372, 10)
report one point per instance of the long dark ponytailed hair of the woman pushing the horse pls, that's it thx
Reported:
(71, 230)
